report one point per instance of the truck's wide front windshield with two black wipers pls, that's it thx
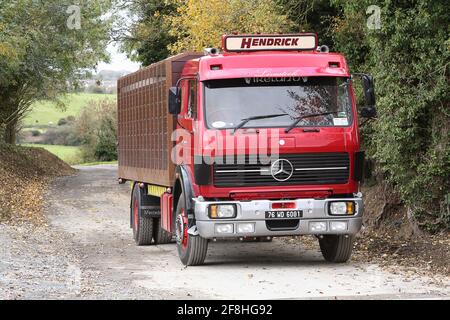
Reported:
(230, 101)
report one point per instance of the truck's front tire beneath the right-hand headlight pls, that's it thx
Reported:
(336, 248)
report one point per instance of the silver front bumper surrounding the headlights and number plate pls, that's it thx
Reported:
(254, 212)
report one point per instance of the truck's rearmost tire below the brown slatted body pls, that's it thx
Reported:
(142, 226)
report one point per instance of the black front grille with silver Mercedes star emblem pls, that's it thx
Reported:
(307, 169)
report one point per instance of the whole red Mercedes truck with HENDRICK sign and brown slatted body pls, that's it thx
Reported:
(257, 140)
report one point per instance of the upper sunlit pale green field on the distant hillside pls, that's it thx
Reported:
(44, 112)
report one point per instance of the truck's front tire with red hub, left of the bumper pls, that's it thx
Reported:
(191, 249)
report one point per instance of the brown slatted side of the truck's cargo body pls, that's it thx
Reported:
(144, 124)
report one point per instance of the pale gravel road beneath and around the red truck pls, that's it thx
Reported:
(87, 252)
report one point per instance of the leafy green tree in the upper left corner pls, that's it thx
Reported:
(43, 53)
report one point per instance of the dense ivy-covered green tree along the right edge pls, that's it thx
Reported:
(409, 58)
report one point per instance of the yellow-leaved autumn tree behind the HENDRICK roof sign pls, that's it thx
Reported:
(201, 24)
